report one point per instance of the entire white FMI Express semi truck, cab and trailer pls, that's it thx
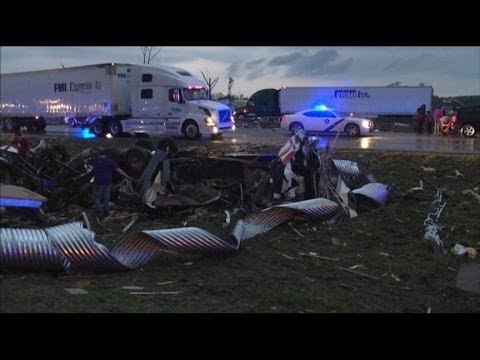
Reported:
(113, 98)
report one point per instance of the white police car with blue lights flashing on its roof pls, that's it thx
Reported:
(325, 121)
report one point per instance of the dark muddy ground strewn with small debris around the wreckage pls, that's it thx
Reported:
(377, 262)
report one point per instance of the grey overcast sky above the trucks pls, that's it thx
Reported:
(450, 70)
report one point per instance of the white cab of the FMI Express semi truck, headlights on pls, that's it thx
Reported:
(169, 100)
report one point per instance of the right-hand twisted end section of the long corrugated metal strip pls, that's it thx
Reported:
(263, 221)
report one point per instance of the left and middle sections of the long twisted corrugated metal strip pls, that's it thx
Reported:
(70, 247)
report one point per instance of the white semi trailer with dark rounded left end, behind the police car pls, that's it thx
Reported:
(371, 101)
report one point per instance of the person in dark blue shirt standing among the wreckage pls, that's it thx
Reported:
(103, 168)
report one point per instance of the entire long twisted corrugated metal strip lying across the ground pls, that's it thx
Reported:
(72, 247)
